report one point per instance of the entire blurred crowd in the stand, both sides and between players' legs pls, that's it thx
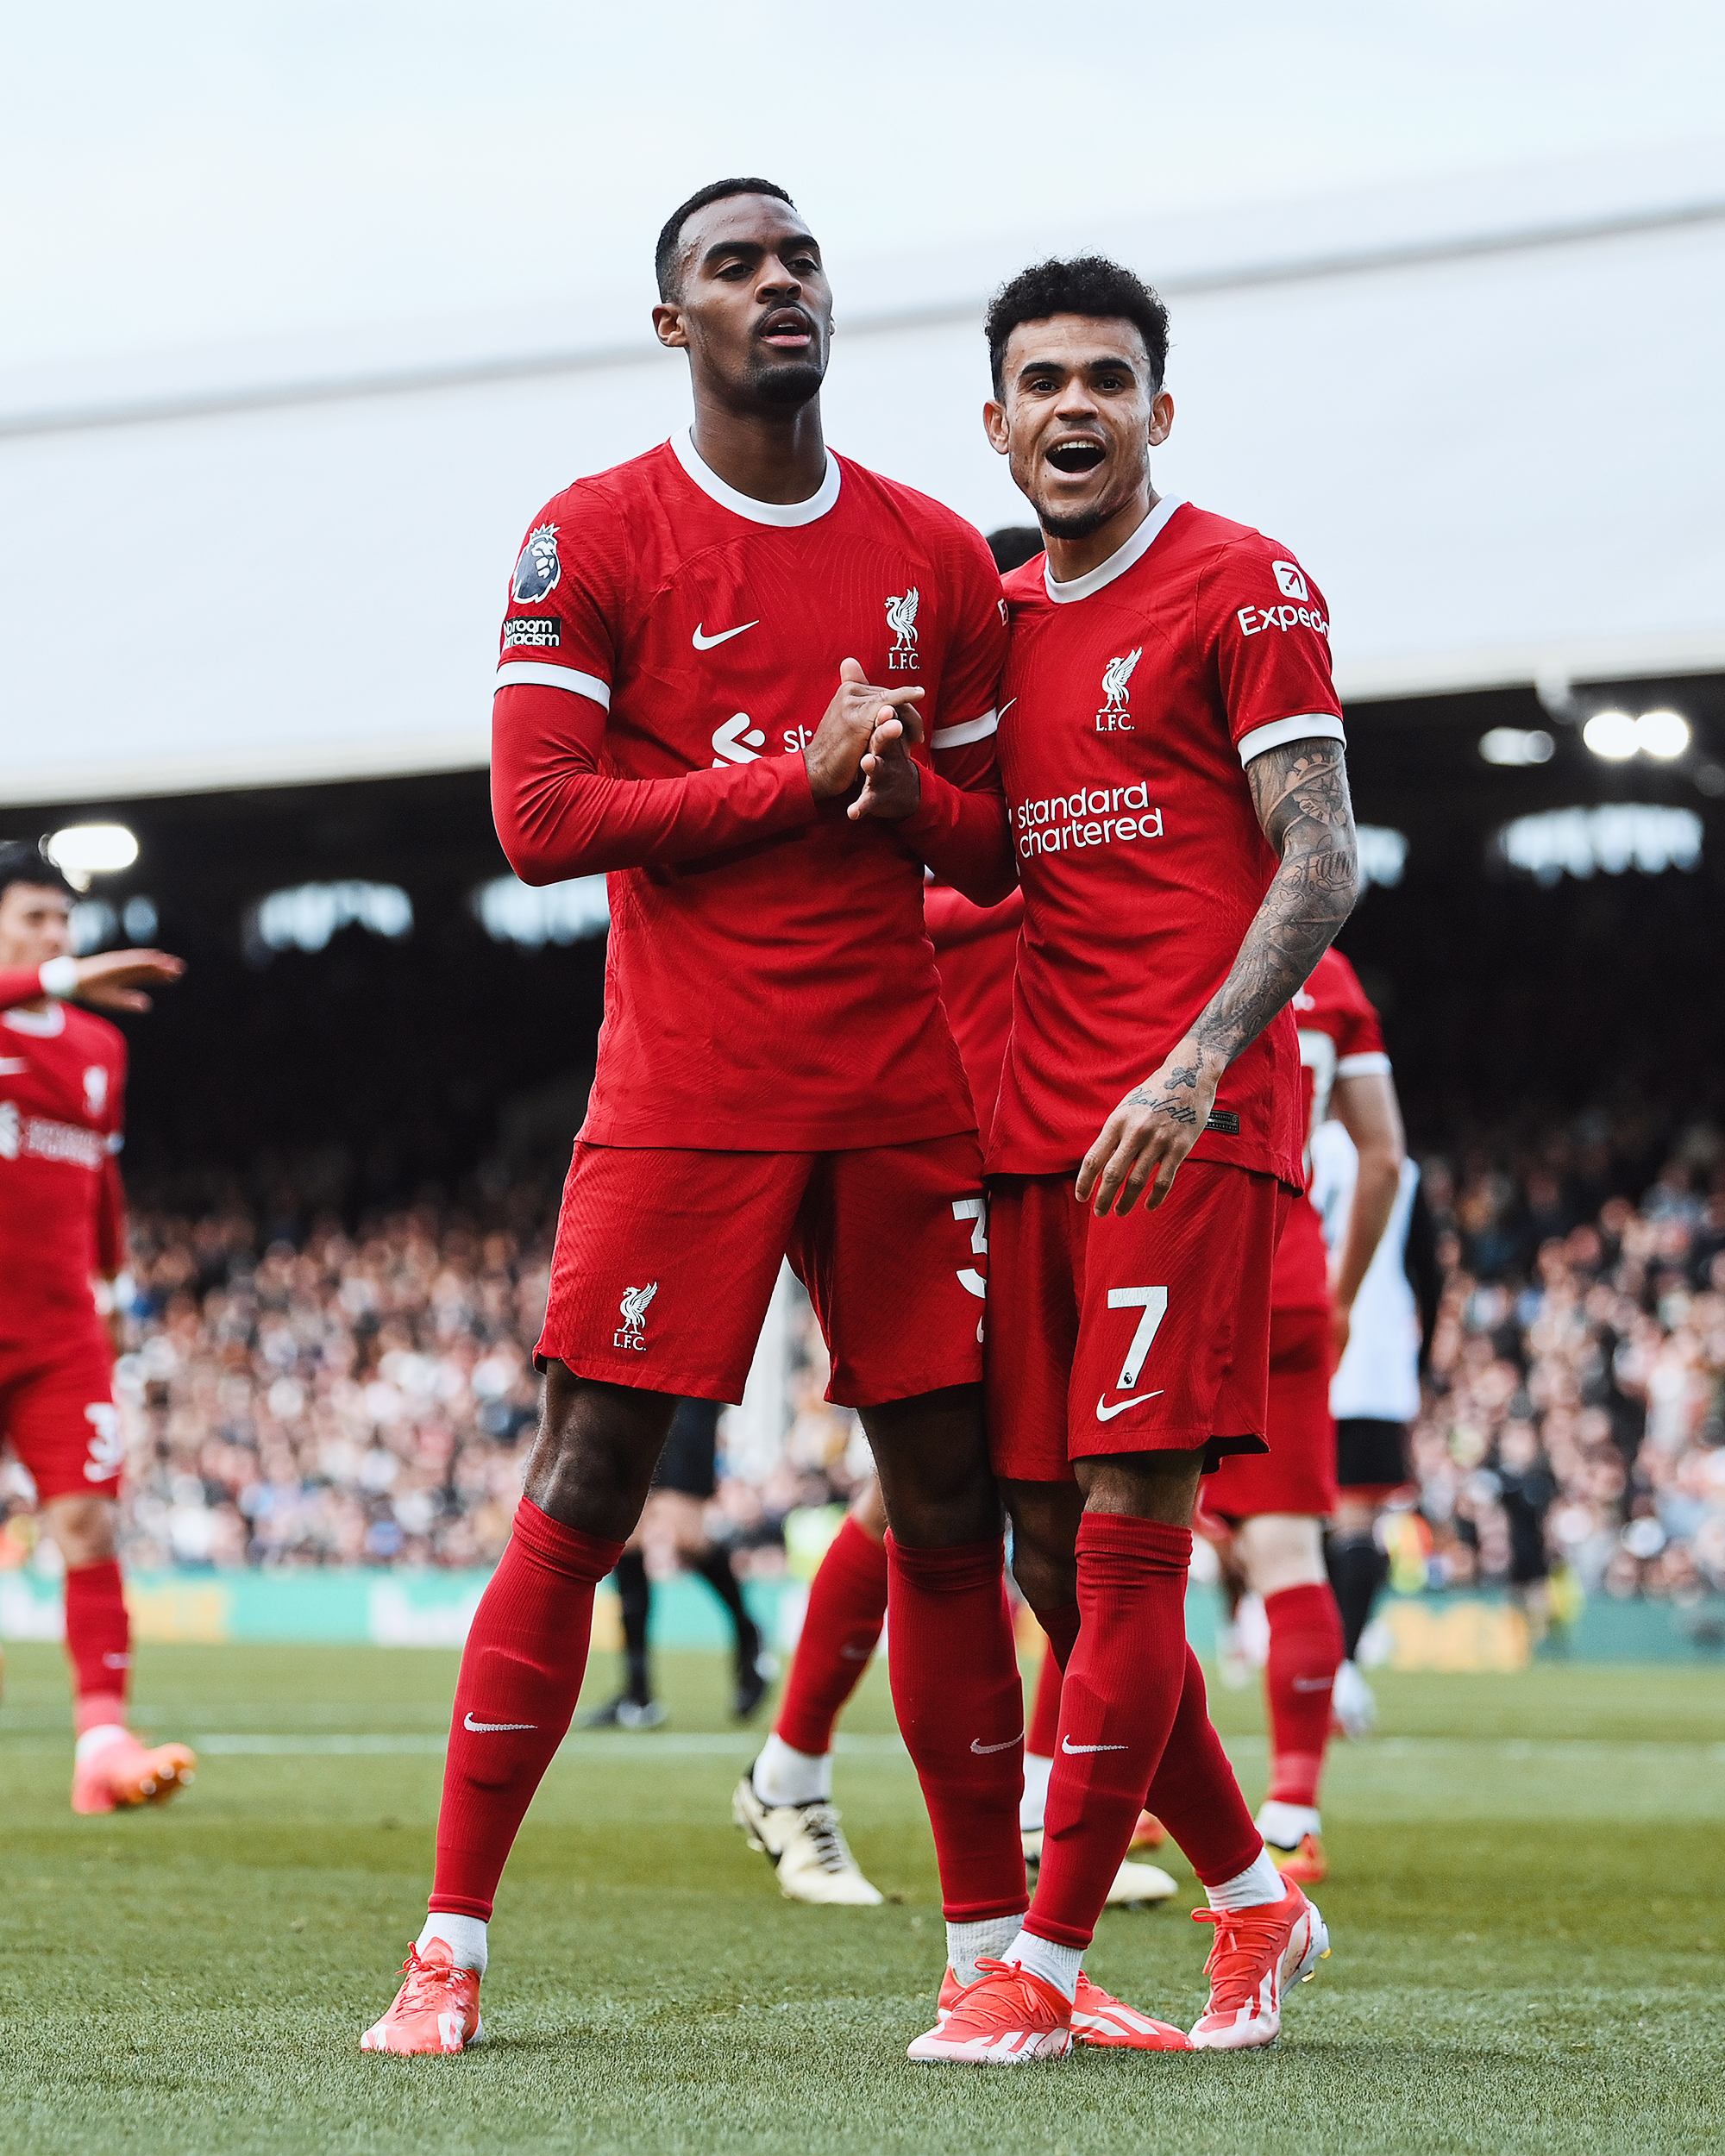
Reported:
(368, 1398)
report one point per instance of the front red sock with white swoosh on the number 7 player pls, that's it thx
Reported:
(1118, 1706)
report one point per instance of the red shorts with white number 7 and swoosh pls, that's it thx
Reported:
(1140, 1336)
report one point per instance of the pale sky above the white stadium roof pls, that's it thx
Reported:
(204, 174)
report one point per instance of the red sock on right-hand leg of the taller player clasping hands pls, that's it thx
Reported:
(961, 1706)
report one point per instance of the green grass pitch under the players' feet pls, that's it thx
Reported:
(1528, 1905)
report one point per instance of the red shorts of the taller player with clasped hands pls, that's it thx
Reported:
(665, 1264)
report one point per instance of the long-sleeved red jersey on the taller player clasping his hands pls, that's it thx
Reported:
(771, 984)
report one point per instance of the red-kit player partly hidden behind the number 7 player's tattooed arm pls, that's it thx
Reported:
(1273, 1506)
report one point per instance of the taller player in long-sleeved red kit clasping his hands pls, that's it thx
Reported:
(695, 657)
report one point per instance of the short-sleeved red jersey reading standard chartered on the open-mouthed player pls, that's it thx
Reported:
(1131, 704)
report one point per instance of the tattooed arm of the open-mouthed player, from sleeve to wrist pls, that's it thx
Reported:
(1301, 794)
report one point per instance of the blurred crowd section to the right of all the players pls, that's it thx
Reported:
(1575, 1413)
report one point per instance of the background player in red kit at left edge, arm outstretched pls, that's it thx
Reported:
(61, 1232)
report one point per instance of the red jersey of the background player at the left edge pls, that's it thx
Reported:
(61, 1208)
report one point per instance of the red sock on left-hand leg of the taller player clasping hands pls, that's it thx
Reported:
(519, 1687)
